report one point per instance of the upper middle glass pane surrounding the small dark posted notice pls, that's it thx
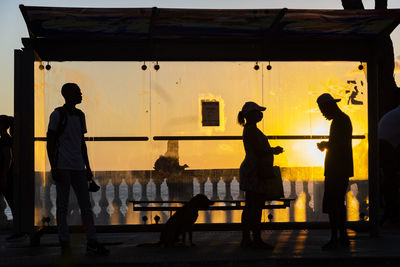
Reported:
(179, 88)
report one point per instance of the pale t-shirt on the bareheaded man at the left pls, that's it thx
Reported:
(69, 143)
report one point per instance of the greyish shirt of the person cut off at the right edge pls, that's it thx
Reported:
(389, 127)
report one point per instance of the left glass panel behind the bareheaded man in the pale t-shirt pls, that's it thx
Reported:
(116, 104)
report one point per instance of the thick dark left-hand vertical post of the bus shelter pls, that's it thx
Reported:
(23, 146)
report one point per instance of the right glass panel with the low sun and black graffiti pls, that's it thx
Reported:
(290, 93)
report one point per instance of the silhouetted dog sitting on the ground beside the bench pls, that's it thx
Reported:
(182, 221)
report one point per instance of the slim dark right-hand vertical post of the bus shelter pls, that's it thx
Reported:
(374, 84)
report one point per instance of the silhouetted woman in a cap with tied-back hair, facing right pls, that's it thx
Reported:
(254, 171)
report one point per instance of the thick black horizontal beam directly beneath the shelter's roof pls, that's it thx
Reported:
(199, 50)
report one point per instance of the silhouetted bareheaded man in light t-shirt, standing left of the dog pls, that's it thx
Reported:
(69, 162)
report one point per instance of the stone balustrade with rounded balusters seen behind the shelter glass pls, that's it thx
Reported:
(111, 204)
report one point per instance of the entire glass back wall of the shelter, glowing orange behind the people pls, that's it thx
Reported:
(122, 100)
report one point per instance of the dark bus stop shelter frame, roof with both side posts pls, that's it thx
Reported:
(153, 34)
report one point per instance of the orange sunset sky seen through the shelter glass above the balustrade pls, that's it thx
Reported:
(132, 102)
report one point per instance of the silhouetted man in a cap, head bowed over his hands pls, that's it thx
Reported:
(338, 168)
